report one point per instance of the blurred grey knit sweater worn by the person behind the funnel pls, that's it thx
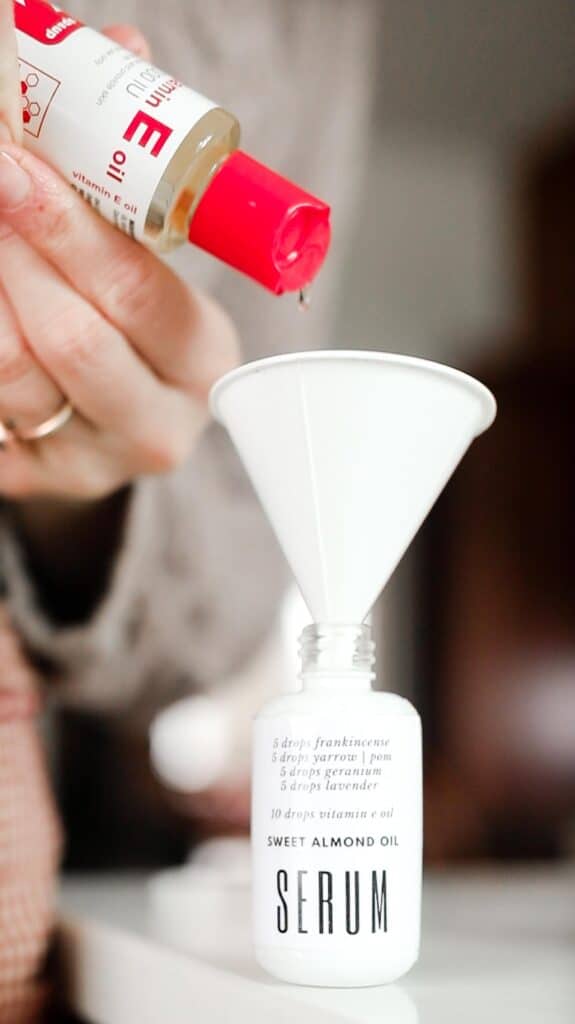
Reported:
(198, 574)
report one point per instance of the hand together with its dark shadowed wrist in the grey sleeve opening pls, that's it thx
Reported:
(90, 318)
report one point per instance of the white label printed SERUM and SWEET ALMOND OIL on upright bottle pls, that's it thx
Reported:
(337, 832)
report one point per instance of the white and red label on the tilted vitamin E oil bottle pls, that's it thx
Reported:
(108, 120)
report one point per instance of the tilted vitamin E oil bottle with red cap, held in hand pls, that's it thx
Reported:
(157, 159)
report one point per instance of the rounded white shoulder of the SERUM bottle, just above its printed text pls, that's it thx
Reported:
(370, 703)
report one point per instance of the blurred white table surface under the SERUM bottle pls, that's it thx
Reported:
(499, 949)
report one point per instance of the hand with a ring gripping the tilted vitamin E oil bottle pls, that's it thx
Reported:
(90, 317)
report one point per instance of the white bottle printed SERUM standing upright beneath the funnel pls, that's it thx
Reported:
(337, 822)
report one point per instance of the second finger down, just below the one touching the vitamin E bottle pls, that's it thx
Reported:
(92, 362)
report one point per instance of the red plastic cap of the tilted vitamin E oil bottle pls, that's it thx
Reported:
(262, 225)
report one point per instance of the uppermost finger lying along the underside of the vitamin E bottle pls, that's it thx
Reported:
(187, 339)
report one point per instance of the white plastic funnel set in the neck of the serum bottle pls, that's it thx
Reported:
(348, 452)
